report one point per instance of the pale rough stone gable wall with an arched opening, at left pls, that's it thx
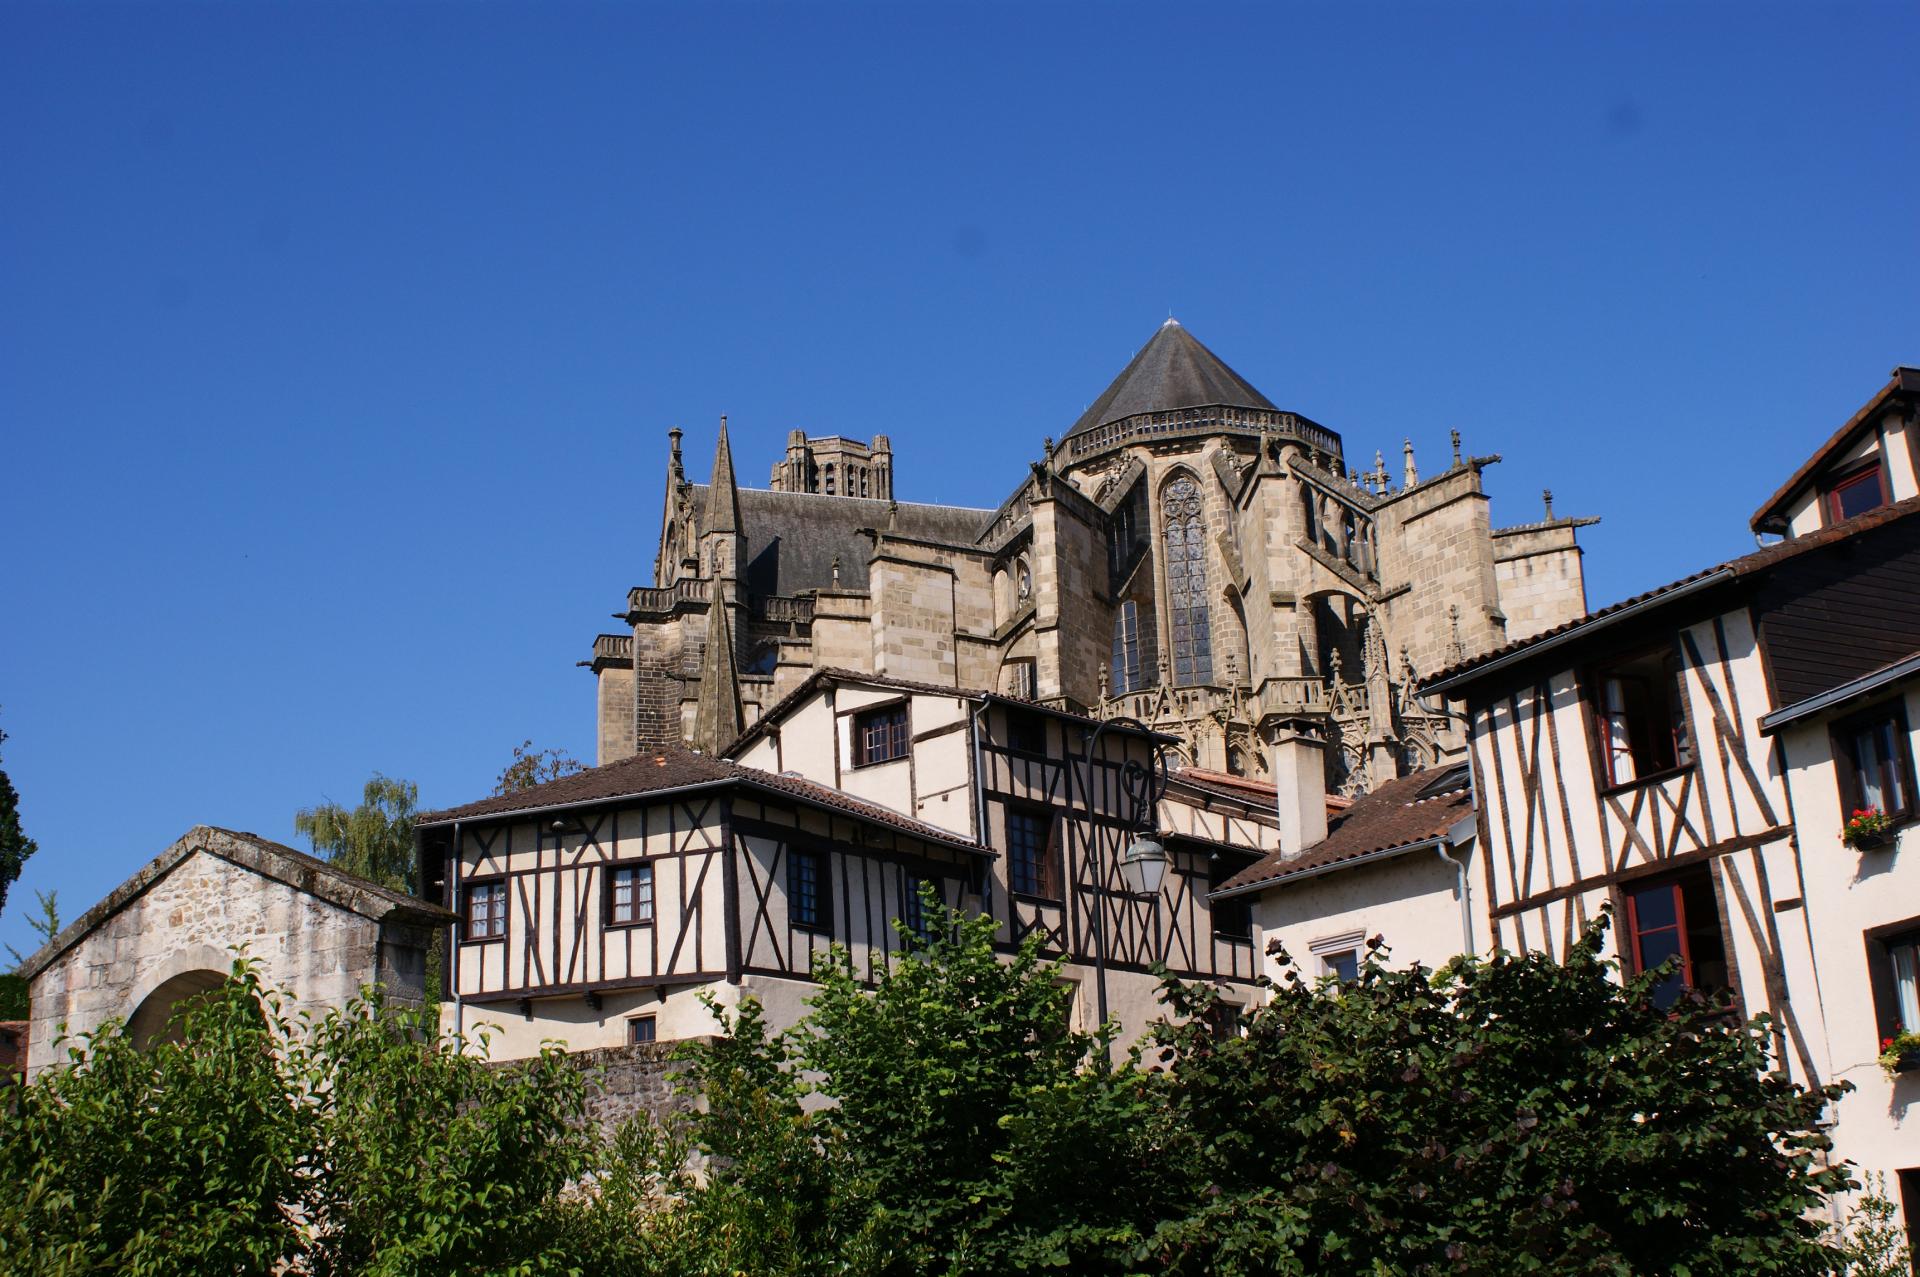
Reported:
(187, 921)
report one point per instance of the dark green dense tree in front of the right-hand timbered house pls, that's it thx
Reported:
(1506, 1117)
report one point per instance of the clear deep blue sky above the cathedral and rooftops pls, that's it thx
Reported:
(339, 343)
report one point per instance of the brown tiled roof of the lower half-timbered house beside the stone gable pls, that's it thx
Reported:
(658, 771)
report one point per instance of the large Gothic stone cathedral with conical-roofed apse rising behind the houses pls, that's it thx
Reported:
(1186, 554)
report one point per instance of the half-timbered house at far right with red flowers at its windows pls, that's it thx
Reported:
(1691, 756)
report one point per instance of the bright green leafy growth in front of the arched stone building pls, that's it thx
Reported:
(262, 1142)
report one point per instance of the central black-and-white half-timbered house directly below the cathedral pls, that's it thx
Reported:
(602, 907)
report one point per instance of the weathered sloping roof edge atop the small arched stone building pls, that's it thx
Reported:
(260, 855)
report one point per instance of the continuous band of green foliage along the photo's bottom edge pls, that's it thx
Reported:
(1500, 1117)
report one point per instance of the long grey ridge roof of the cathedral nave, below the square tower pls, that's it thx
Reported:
(794, 537)
